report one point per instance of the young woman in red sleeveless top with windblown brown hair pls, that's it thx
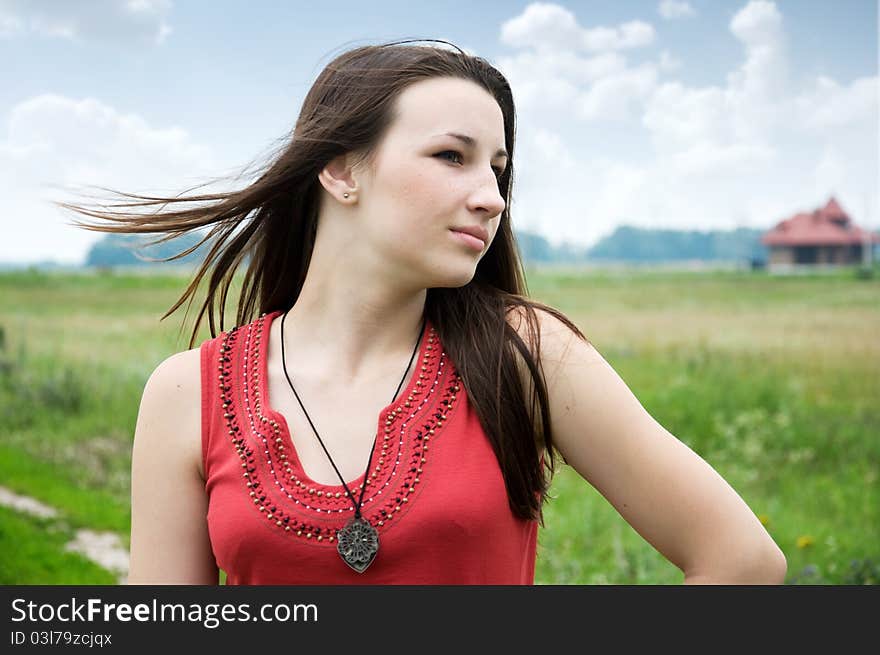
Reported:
(389, 407)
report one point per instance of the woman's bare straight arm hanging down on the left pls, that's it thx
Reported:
(169, 533)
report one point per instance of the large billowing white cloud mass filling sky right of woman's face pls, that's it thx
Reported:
(748, 150)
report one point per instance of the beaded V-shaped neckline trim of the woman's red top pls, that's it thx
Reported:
(275, 483)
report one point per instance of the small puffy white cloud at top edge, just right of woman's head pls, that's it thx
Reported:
(550, 27)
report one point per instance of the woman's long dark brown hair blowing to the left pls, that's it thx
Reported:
(270, 225)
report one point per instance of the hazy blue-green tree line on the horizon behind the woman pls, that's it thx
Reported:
(625, 244)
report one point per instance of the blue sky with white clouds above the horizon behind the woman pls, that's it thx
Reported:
(693, 115)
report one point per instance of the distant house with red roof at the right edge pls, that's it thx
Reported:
(823, 237)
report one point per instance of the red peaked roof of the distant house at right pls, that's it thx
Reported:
(829, 226)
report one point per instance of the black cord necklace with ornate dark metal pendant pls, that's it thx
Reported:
(357, 542)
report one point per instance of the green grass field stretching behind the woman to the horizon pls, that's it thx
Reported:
(772, 379)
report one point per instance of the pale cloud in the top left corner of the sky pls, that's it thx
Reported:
(119, 21)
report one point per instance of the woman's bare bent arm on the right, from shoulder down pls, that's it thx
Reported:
(662, 488)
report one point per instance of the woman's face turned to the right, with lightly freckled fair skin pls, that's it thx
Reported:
(426, 185)
